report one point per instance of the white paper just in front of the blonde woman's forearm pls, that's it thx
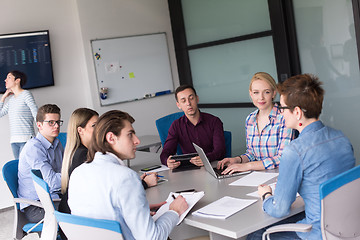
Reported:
(254, 179)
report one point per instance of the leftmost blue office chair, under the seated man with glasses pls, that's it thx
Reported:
(22, 226)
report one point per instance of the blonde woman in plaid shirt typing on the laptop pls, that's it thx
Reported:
(266, 134)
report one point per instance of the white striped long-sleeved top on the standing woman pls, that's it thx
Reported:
(22, 111)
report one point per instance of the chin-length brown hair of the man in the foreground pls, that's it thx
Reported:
(112, 121)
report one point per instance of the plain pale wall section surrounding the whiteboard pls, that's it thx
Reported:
(107, 19)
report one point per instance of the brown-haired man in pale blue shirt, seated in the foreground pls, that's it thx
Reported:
(105, 188)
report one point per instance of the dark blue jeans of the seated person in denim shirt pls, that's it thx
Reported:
(280, 235)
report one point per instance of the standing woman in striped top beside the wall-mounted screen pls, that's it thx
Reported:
(21, 108)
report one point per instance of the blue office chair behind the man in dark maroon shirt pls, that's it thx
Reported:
(163, 124)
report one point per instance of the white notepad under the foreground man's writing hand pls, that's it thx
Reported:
(191, 198)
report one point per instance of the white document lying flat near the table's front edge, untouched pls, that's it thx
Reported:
(224, 207)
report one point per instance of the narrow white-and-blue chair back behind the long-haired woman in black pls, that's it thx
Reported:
(50, 226)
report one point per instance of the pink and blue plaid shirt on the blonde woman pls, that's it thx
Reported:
(267, 145)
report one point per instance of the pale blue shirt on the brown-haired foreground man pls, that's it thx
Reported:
(107, 189)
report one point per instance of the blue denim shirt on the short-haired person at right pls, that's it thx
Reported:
(318, 154)
